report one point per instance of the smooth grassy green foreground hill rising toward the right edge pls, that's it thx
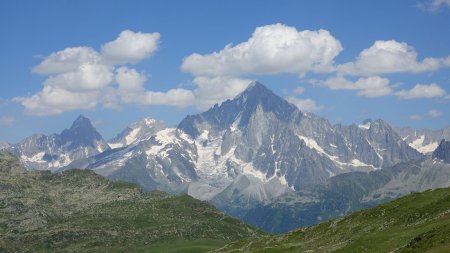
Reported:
(419, 222)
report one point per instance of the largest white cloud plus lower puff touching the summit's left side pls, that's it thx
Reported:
(271, 49)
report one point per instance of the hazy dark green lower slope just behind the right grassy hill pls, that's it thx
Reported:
(347, 193)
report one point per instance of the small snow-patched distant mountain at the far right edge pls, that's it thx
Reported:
(424, 140)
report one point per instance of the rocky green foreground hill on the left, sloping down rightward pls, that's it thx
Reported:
(79, 211)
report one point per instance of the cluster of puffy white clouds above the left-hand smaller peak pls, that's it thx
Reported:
(82, 78)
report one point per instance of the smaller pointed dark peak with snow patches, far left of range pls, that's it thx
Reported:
(41, 152)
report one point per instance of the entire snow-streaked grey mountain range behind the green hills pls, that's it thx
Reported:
(256, 156)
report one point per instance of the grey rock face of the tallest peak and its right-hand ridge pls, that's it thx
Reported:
(279, 140)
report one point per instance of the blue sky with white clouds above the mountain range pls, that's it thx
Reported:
(118, 61)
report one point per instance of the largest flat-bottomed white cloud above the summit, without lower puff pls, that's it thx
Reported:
(271, 49)
